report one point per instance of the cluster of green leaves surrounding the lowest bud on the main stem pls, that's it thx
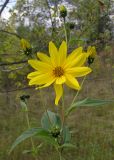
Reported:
(50, 132)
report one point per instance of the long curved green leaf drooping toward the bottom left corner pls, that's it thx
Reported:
(25, 135)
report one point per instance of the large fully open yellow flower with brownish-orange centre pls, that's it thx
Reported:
(58, 68)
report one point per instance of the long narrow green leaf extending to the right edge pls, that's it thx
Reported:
(88, 102)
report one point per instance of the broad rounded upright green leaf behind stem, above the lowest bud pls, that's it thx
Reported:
(49, 120)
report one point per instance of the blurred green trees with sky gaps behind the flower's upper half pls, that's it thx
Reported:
(38, 22)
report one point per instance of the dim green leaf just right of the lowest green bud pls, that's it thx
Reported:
(66, 135)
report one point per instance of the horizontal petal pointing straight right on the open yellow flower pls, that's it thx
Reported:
(79, 71)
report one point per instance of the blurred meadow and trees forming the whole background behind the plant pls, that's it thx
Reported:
(88, 23)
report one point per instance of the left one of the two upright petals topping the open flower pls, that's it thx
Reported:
(53, 53)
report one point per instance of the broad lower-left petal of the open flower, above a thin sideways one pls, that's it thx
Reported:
(41, 79)
